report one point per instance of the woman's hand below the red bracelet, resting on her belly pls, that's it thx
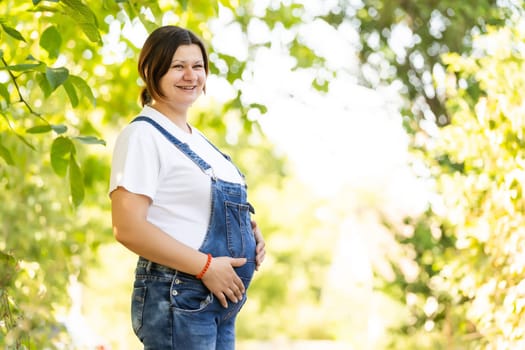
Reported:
(222, 280)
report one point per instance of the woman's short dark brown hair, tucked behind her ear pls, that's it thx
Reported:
(157, 53)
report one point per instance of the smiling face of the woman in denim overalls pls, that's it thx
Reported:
(184, 81)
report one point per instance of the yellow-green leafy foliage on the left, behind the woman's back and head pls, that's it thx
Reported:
(66, 69)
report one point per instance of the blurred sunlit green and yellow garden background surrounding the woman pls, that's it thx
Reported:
(382, 141)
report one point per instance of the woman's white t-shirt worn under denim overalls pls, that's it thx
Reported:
(146, 162)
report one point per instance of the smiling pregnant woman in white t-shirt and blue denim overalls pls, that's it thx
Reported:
(181, 205)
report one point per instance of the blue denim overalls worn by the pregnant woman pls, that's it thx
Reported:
(174, 310)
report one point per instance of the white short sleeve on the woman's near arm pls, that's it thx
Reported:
(135, 164)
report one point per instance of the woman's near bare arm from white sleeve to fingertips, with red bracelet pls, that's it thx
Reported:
(135, 232)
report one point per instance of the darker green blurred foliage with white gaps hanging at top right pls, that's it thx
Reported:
(402, 43)
